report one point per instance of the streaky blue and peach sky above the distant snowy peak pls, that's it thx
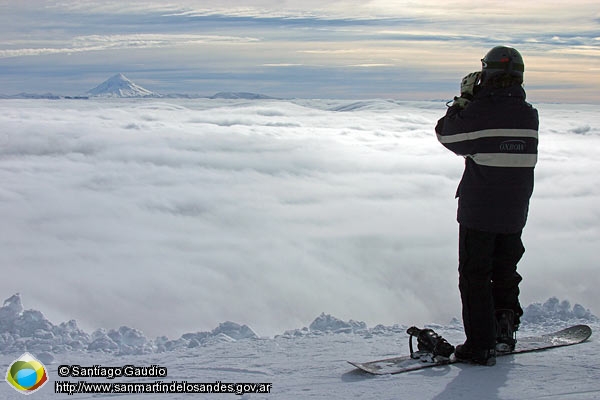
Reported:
(311, 49)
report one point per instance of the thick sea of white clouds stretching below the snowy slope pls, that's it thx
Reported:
(172, 216)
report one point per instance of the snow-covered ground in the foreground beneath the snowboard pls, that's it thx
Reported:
(304, 363)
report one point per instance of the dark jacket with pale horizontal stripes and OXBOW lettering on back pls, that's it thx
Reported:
(497, 133)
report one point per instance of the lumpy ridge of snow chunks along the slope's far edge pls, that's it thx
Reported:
(28, 330)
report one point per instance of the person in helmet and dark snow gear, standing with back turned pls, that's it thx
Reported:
(496, 130)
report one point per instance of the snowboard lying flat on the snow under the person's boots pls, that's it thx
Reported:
(397, 365)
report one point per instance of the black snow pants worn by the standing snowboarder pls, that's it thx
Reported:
(488, 281)
